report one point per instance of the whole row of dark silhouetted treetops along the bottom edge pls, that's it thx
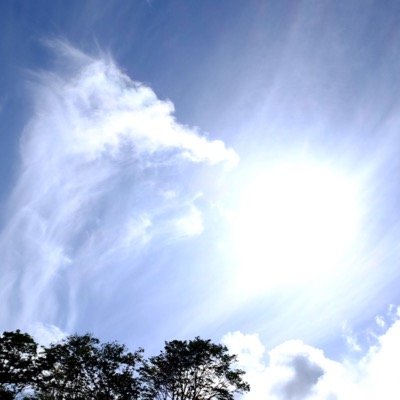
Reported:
(80, 367)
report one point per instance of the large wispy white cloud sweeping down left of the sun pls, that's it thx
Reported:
(102, 174)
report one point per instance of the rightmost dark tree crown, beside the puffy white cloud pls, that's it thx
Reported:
(192, 370)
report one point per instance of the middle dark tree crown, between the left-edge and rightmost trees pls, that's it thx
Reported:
(82, 368)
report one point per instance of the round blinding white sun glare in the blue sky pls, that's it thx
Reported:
(293, 223)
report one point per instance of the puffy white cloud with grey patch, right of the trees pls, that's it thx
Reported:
(296, 371)
